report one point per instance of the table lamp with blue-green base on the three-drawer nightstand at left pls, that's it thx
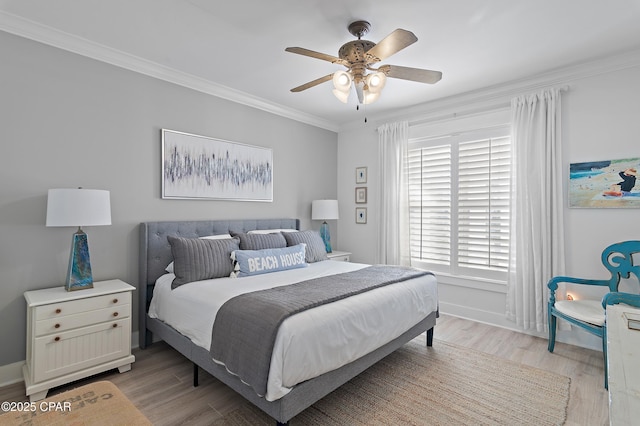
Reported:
(78, 207)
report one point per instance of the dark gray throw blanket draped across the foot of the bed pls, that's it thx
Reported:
(245, 327)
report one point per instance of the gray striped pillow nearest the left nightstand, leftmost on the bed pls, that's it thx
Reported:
(196, 259)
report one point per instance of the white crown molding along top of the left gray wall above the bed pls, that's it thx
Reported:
(22, 27)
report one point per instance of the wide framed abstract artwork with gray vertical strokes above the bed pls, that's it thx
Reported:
(203, 168)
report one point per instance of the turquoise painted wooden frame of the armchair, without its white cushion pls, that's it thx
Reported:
(618, 259)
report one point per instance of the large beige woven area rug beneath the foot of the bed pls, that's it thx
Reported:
(442, 385)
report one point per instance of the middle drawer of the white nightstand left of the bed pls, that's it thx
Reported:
(83, 319)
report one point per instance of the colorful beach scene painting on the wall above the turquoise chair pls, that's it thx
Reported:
(605, 184)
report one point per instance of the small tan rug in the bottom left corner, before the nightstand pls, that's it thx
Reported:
(96, 404)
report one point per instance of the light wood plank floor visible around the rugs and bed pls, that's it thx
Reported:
(160, 382)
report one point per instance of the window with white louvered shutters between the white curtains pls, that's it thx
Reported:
(459, 202)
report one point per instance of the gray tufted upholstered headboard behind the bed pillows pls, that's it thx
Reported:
(155, 251)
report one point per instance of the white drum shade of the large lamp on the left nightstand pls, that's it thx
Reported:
(78, 207)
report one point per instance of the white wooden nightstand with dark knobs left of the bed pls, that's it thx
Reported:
(75, 334)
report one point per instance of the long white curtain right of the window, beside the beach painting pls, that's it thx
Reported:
(537, 230)
